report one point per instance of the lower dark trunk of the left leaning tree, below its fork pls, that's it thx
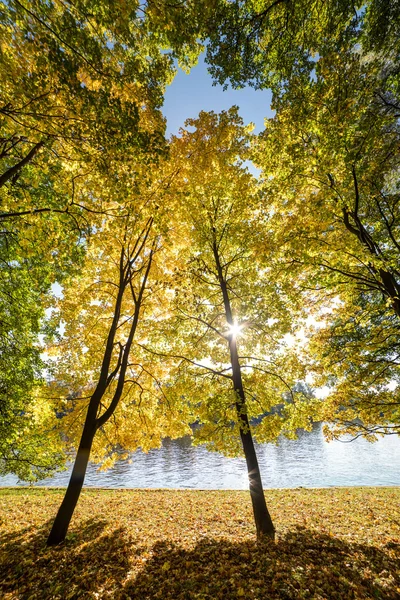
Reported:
(66, 510)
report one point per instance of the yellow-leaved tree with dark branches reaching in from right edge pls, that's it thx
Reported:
(329, 160)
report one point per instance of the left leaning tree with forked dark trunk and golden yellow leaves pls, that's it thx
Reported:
(109, 394)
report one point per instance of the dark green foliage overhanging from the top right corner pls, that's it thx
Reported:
(274, 43)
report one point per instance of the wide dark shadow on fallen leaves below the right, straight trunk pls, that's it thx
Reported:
(303, 564)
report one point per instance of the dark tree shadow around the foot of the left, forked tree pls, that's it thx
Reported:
(90, 561)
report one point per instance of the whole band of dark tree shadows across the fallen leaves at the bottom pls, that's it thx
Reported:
(98, 560)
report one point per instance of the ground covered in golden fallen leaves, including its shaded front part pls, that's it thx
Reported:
(184, 545)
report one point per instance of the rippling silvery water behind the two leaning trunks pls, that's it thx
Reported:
(309, 462)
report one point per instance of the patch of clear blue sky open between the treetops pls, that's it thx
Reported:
(189, 94)
